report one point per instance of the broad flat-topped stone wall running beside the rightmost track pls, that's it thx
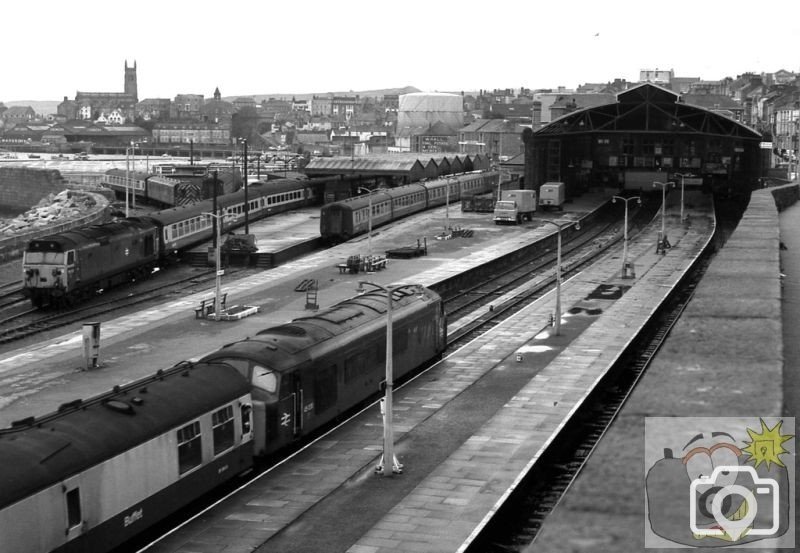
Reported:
(723, 359)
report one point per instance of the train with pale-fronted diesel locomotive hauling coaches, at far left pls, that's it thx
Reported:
(74, 265)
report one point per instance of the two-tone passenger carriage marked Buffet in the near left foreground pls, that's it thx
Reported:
(98, 472)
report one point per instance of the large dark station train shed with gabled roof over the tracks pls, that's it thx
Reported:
(647, 135)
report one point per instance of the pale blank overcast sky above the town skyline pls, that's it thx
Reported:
(52, 49)
